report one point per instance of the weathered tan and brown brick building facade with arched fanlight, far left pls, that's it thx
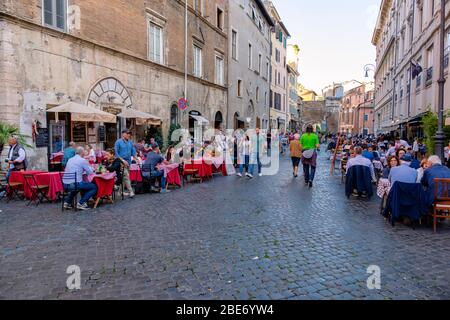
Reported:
(112, 55)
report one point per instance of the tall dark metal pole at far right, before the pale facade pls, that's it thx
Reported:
(440, 137)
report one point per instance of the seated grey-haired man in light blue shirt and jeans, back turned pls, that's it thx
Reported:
(78, 166)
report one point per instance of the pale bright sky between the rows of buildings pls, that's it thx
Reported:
(334, 38)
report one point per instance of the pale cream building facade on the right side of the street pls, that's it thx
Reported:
(407, 35)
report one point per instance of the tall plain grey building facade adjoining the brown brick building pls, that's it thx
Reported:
(249, 55)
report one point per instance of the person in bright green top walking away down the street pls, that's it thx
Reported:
(309, 143)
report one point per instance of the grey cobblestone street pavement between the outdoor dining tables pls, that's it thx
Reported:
(269, 238)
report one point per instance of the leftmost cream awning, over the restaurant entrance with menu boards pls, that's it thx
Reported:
(82, 113)
